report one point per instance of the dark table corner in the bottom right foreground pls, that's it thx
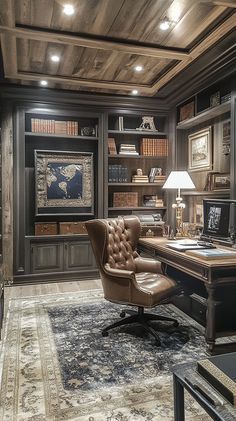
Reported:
(184, 373)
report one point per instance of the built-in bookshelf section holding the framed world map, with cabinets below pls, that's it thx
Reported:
(59, 167)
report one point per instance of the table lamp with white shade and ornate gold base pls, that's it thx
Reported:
(179, 180)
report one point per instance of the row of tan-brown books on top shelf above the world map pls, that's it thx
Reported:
(40, 125)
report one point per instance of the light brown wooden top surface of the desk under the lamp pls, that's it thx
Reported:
(159, 244)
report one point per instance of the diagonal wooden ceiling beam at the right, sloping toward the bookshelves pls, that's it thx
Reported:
(211, 39)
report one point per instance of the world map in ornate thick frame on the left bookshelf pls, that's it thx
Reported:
(64, 183)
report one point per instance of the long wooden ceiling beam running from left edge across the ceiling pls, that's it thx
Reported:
(47, 36)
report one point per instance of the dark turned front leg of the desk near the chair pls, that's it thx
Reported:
(210, 334)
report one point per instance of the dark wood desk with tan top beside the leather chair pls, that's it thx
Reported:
(213, 274)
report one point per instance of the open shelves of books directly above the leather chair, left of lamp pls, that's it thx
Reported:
(137, 164)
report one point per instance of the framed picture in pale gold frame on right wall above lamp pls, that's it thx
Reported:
(200, 150)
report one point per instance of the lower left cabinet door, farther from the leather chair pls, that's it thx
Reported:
(46, 257)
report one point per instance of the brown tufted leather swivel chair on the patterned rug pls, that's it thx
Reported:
(126, 277)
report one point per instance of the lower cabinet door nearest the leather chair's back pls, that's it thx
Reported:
(78, 255)
